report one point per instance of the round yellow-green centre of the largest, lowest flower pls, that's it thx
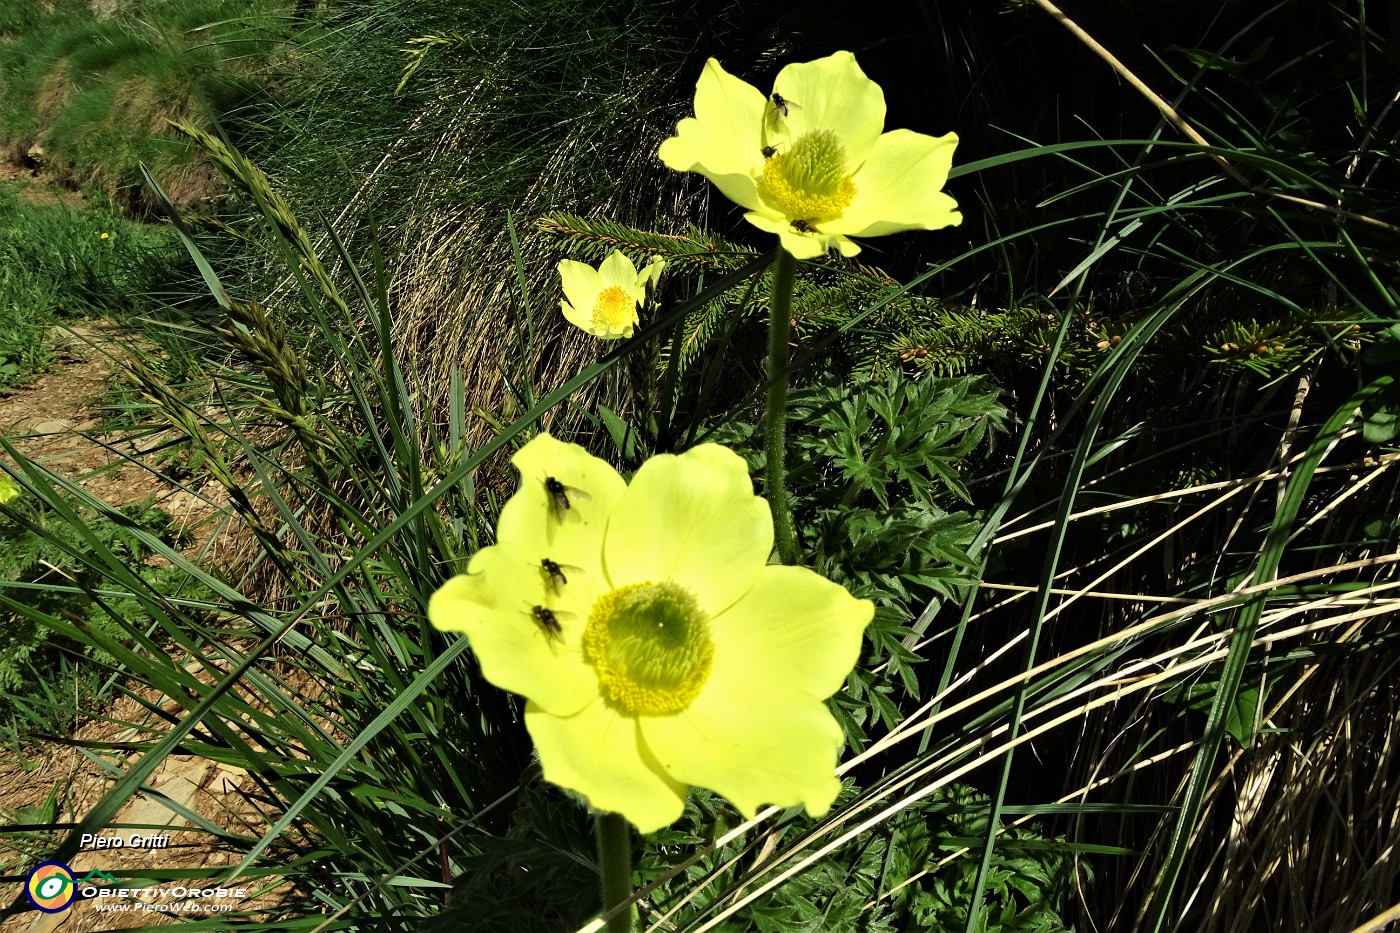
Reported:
(650, 644)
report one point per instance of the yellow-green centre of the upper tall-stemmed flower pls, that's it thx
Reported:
(808, 183)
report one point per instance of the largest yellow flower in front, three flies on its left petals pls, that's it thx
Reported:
(654, 642)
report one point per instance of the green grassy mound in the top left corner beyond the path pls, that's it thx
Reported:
(94, 93)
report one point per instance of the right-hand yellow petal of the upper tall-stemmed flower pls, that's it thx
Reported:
(901, 187)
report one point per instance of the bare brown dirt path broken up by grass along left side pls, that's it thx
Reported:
(57, 422)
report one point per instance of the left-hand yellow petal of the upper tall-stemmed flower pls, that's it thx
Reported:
(723, 141)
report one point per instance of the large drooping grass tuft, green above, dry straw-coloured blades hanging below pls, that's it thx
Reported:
(537, 109)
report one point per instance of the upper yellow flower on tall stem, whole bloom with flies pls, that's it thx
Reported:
(811, 162)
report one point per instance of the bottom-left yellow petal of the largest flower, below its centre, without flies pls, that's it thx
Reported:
(598, 754)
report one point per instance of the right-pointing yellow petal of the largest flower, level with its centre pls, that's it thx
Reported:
(796, 630)
